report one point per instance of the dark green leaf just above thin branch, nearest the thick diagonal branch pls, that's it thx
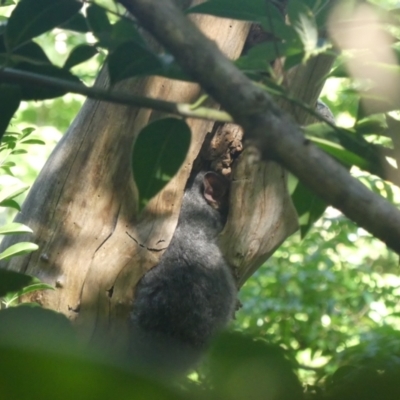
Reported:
(131, 59)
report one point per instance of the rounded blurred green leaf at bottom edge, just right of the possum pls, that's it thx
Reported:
(237, 359)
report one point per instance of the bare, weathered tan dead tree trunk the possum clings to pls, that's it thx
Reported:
(93, 247)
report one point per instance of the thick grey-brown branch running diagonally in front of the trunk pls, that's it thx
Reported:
(274, 132)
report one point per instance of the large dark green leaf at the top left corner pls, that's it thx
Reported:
(31, 18)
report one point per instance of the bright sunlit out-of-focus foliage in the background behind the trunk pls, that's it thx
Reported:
(329, 298)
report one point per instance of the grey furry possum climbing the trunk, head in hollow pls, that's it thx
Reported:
(191, 294)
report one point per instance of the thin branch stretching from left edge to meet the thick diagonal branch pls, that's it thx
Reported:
(11, 75)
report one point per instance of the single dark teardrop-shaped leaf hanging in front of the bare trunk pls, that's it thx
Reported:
(158, 153)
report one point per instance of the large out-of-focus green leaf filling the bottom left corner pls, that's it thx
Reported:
(39, 347)
